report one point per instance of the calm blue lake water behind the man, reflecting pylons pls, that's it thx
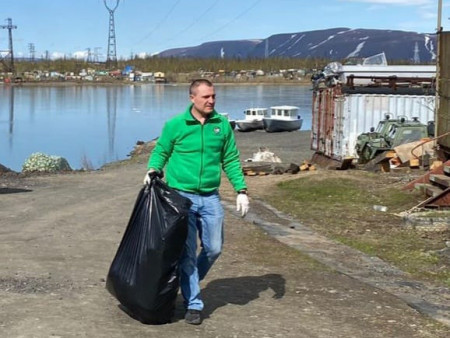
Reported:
(94, 125)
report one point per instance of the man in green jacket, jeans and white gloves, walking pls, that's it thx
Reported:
(196, 145)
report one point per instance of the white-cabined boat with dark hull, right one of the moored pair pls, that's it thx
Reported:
(283, 118)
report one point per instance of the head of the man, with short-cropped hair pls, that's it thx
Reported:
(203, 96)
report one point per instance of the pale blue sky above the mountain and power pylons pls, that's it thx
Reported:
(72, 28)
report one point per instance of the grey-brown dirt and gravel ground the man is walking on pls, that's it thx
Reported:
(59, 234)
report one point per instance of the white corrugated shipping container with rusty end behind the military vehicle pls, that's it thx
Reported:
(338, 119)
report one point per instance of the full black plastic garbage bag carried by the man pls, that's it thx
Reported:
(144, 273)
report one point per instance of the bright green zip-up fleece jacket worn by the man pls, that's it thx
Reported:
(196, 153)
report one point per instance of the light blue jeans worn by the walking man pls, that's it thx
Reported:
(205, 221)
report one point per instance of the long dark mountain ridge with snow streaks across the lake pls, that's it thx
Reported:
(333, 43)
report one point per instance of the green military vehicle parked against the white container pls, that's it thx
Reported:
(389, 134)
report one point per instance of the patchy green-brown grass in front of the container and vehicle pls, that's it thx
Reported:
(340, 205)
